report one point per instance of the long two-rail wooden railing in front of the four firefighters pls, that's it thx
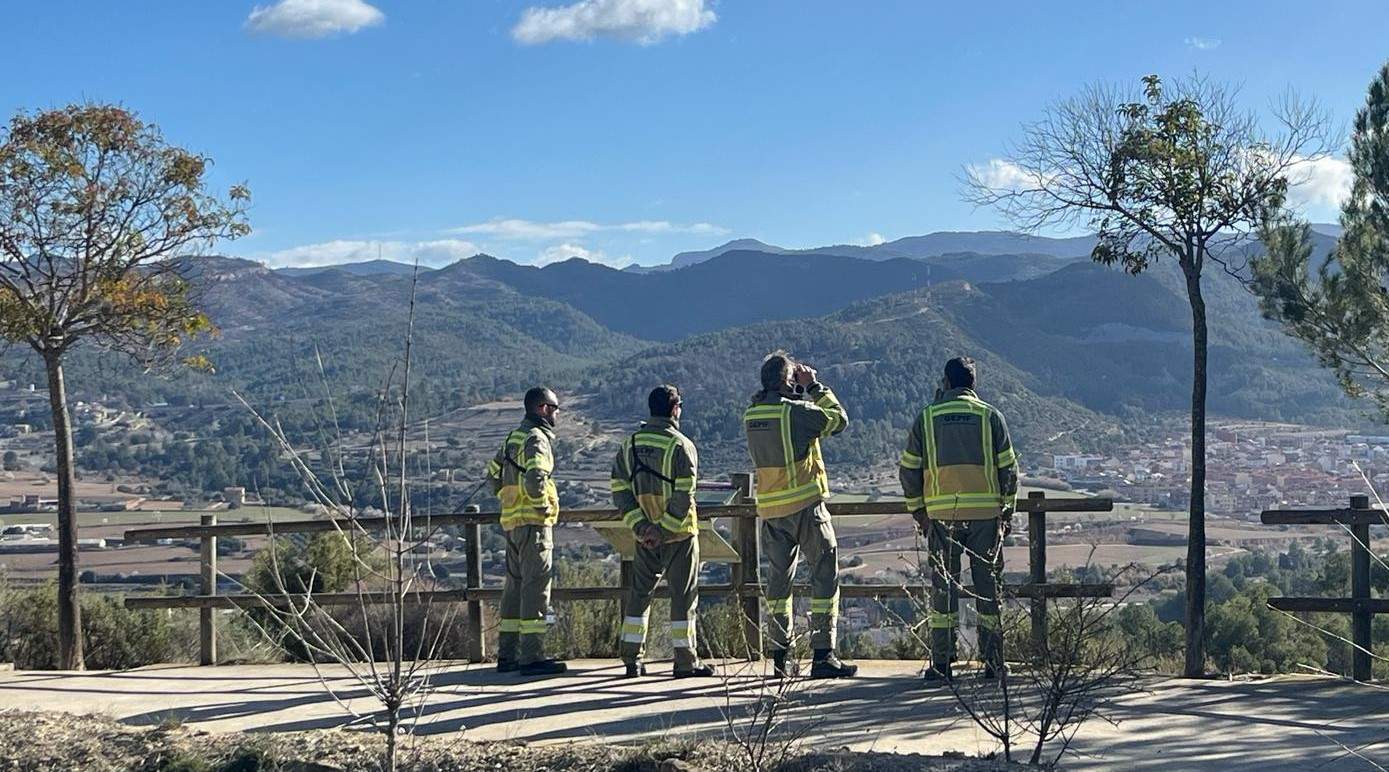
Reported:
(744, 587)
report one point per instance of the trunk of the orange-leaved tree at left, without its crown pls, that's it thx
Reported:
(70, 612)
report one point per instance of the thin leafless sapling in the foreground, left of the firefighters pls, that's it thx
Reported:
(395, 655)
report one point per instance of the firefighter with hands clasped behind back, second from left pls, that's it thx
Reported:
(654, 487)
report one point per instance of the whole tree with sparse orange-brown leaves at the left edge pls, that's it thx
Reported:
(95, 213)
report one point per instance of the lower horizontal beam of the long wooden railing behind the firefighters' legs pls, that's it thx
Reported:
(240, 601)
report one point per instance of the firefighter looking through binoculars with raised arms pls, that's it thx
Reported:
(788, 419)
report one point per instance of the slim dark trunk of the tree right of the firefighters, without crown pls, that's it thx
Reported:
(1197, 523)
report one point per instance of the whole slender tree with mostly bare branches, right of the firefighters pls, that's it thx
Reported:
(1176, 171)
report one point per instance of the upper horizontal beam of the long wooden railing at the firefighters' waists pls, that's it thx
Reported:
(845, 510)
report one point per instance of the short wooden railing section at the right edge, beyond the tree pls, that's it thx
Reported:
(1358, 520)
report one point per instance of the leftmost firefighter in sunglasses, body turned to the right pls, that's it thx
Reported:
(522, 476)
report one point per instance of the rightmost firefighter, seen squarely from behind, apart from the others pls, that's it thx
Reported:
(960, 477)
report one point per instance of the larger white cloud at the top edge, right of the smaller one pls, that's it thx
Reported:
(642, 22)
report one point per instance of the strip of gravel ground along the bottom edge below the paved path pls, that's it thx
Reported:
(52, 741)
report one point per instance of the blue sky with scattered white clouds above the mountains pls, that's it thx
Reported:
(631, 130)
